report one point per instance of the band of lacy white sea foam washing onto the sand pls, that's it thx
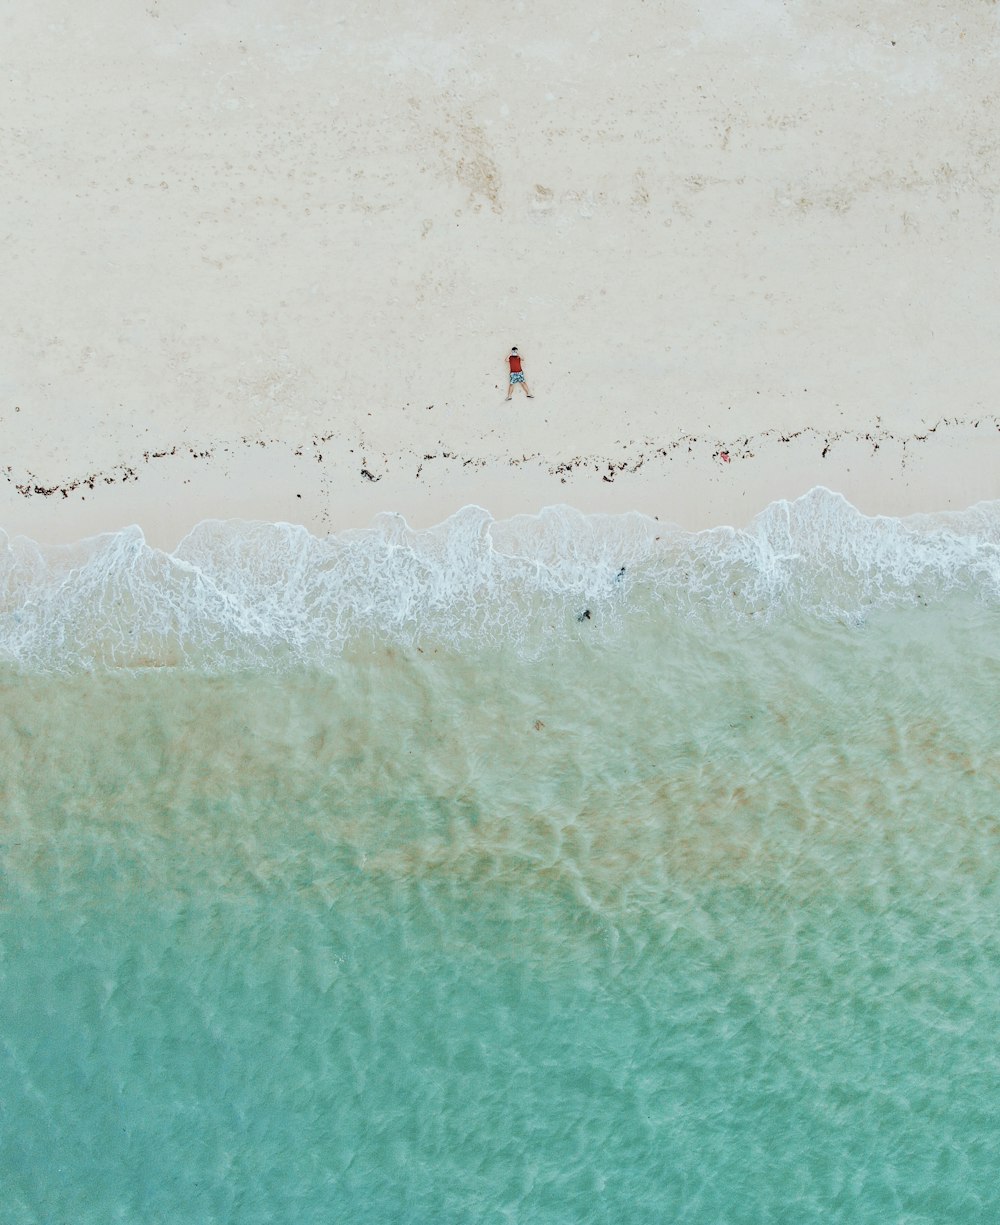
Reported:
(242, 595)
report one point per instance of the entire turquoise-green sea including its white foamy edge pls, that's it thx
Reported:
(562, 870)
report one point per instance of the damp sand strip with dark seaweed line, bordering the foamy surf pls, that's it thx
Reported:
(335, 483)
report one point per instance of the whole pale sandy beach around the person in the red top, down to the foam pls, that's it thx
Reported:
(714, 227)
